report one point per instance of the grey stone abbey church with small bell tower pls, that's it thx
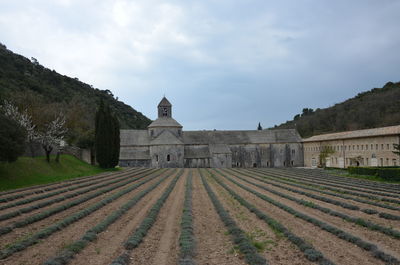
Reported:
(164, 144)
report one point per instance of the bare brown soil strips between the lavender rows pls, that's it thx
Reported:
(213, 244)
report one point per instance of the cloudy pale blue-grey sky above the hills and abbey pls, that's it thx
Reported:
(223, 64)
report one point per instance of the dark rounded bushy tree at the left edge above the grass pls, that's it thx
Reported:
(12, 139)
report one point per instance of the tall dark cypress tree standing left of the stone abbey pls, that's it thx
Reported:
(107, 139)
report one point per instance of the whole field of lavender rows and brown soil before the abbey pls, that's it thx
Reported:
(196, 216)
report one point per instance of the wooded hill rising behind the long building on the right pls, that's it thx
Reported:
(378, 107)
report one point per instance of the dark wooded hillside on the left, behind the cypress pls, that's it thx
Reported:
(45, 92)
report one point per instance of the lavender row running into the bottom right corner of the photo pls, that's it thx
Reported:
(379, 254)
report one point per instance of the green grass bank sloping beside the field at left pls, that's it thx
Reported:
(27, 171)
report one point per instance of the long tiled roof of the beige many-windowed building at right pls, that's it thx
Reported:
(391, 130)
